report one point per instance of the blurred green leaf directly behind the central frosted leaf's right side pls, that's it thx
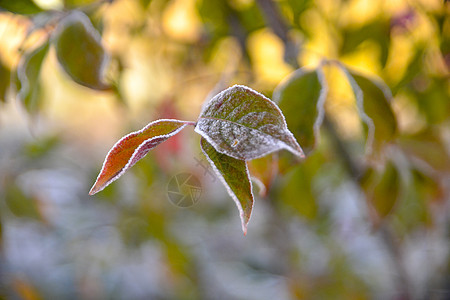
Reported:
(301, 98)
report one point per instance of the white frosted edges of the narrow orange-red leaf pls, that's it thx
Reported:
(95, 190)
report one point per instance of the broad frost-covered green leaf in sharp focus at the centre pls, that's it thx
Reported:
(244, 124)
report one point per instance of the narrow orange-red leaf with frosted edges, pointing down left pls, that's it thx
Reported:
(132, 147)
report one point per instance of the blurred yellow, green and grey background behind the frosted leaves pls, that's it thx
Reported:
(314, 233)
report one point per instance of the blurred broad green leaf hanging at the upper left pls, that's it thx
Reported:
(80, 52)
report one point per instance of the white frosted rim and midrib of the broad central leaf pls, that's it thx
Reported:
(298, 152)
